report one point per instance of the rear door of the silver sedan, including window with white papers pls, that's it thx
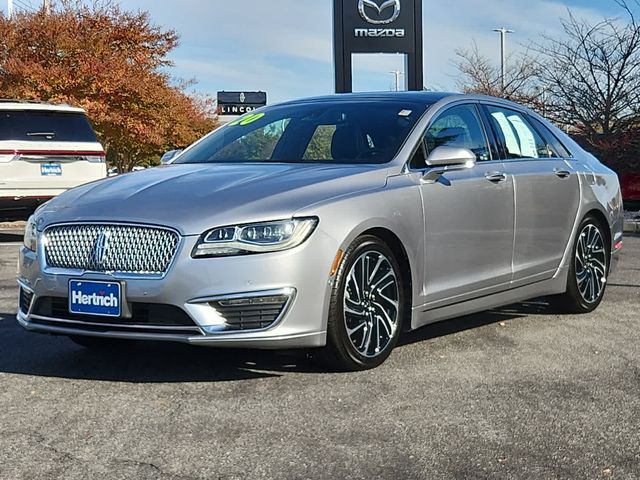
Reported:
(547, 194)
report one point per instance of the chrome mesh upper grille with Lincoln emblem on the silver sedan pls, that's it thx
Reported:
(110, 248)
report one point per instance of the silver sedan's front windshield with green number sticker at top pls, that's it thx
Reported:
(367, 131)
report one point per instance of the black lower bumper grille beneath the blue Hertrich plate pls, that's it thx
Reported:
(145, 317)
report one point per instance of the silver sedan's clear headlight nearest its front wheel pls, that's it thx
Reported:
(254, 238)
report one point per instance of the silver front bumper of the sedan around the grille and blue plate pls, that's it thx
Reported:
(193, 286)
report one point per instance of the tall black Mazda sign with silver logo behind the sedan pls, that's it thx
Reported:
(377, 26)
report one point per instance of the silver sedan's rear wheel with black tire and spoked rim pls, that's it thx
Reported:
(574, 300)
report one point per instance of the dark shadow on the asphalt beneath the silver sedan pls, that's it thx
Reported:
(27, 353)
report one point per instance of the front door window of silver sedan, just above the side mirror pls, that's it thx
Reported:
(458, 127)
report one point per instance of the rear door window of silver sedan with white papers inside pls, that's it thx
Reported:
(518, 137)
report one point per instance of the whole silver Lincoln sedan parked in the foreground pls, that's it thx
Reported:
(332, 224)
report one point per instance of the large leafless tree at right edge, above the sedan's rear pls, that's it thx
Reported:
(591, 76)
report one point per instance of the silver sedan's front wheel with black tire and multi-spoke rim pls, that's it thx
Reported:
(340, 353)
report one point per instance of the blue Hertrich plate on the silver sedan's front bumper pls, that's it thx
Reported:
(94, 298)
